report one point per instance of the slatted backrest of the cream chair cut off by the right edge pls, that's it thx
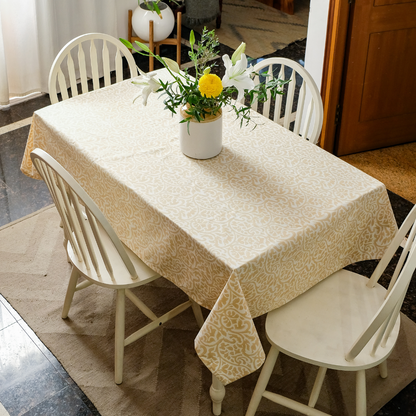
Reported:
(386, 317)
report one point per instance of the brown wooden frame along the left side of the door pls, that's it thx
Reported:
(333, 69)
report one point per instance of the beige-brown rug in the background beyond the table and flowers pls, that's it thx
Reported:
(263, 28)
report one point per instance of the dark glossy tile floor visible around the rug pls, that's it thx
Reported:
(32, 381)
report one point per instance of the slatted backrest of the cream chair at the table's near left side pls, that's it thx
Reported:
(80, 216)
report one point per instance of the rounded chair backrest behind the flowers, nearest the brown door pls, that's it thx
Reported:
(285, 112)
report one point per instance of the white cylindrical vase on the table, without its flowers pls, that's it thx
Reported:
(204, 139)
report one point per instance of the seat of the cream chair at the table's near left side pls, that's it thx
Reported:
(122, 276)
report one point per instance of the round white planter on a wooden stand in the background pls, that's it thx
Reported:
(162, 28)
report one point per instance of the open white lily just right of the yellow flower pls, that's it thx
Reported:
(238, 75)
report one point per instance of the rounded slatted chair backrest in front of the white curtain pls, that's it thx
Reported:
(72, 63)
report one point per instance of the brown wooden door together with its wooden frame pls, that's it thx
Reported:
(369, 83)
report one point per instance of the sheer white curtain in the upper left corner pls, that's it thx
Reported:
(32, 32)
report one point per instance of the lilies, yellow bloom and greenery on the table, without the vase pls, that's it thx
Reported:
(206, 94)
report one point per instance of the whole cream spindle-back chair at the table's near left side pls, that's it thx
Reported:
(98, 255)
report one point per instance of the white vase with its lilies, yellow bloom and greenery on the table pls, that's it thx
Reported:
(200, 100)
